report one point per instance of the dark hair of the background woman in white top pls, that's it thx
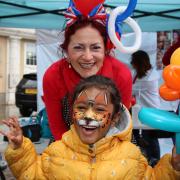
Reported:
(140, 59)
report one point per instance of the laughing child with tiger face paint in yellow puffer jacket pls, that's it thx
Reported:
(96, 147)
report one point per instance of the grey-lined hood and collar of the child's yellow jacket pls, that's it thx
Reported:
(121, 132)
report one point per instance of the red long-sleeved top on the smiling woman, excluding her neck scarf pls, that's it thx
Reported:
(59, 80)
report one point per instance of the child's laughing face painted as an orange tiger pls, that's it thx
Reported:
(92, 114)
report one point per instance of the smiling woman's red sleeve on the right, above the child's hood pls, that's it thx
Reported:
(123, 79)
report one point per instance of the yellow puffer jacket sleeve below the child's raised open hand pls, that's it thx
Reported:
(24, 162)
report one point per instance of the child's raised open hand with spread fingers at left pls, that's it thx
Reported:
(14, 134)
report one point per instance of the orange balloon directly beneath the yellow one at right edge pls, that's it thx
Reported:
(171, 75)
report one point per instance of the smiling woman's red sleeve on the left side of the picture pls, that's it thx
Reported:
(52, 99)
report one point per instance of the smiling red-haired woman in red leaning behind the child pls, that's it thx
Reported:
(87, 54)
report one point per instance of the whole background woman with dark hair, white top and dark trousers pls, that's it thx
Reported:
(146, 92)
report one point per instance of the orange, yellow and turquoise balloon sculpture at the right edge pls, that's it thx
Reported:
(169, 91)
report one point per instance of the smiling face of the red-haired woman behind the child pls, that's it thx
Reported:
(86, 51)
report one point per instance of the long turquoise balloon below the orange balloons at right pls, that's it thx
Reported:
(163, 120)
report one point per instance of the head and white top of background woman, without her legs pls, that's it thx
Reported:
(145, 82)
